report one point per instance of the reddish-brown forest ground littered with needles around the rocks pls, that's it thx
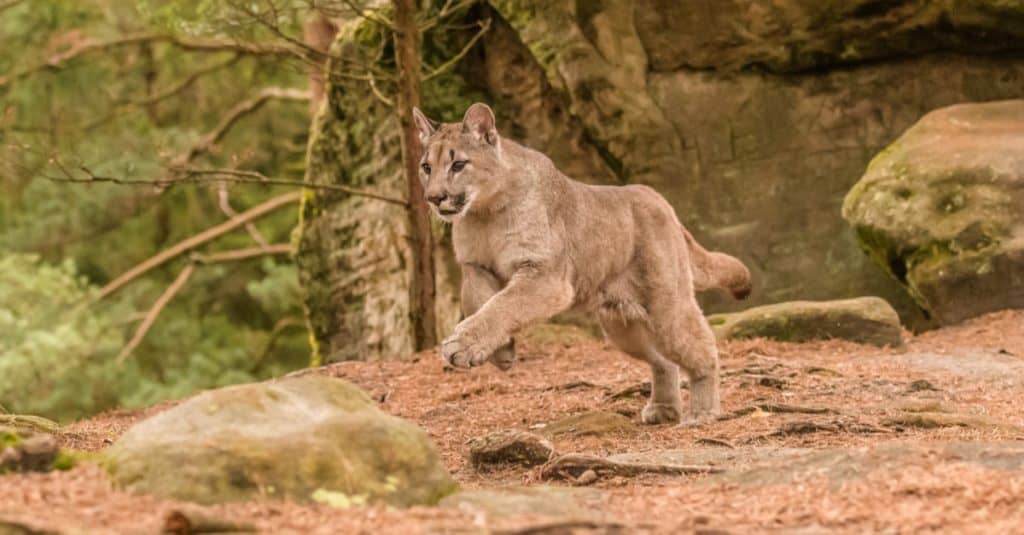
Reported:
(927, 438)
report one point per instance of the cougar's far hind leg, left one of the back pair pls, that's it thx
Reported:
(635, 340)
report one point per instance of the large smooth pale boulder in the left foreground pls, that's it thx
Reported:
(291, 439)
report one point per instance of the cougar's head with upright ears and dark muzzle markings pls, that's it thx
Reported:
(461, 163)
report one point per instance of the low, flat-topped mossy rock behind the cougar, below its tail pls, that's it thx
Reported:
(864, 320)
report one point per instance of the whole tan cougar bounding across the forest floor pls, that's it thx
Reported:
(534, 243)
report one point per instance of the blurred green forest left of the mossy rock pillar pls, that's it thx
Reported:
(139, 91)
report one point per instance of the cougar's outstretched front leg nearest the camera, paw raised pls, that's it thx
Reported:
(532, 296)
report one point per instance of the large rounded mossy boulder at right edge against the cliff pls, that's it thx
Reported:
(941, 211)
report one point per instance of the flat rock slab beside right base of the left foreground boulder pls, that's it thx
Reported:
(542, 501)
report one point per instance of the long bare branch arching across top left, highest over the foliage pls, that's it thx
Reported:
(192, 45)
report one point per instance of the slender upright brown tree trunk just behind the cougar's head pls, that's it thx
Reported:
(422, 287)
